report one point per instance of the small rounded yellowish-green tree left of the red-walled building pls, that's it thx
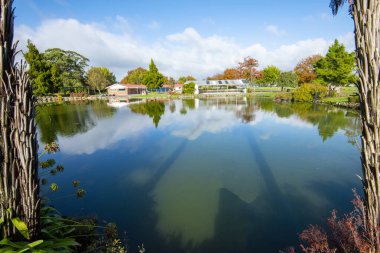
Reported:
(100, 77)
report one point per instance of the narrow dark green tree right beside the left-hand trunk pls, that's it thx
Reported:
(39, 71)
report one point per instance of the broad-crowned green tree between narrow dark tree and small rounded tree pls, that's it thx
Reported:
(67, 67)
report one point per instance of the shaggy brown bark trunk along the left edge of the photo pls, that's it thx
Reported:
(19, 187)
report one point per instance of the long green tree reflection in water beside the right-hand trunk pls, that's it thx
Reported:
(328, 119)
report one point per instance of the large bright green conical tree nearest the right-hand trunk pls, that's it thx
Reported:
(337, 67)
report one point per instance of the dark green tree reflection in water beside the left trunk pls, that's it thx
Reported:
(70, 118)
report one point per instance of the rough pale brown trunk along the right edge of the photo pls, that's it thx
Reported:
(366, 16)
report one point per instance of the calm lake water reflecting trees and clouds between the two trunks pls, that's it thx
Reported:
(218, 175)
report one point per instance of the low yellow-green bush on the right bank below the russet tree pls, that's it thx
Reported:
(310, 92)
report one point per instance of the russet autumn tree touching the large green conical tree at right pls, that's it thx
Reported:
(305, 69)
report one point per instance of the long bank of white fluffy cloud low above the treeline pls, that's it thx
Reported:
(115, 45)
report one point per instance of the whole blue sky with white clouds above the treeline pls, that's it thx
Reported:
(184, 37)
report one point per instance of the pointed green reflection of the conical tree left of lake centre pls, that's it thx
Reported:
(154, 109)
